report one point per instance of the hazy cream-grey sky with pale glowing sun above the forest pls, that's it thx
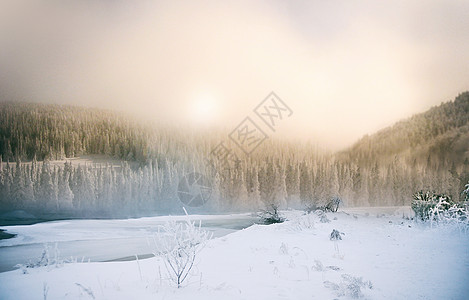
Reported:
(346, 68)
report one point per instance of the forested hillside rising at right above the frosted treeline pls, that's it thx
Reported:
(439, 135)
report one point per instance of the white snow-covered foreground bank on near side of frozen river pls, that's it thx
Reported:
(381, 256)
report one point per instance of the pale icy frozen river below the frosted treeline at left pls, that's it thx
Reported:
(101, 240)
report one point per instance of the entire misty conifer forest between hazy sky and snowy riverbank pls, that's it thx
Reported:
(428, 151)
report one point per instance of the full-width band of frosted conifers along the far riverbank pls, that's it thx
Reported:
(107, 190)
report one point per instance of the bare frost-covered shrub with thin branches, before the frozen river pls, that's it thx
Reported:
(179, 243)
